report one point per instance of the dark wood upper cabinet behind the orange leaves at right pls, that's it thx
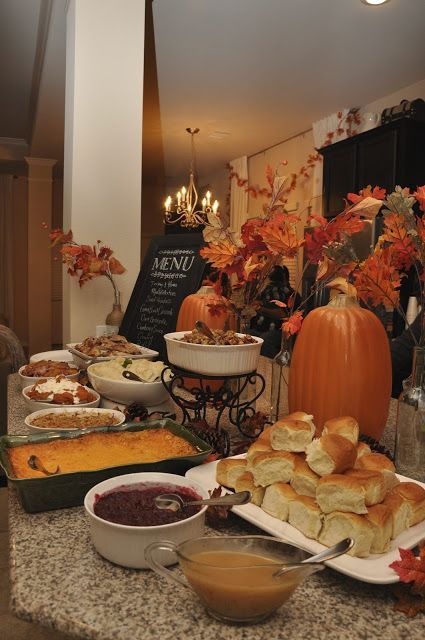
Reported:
(389, 155)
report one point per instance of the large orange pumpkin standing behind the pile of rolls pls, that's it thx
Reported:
(341, 365)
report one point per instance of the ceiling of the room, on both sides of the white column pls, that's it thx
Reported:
(248, 73)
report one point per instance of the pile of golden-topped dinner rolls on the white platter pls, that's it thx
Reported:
(329, 488)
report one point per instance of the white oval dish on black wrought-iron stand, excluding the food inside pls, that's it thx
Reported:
(213, 359)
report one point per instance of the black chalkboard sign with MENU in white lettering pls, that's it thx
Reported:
(171, 270)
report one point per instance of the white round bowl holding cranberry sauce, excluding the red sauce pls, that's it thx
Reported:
(125, 545)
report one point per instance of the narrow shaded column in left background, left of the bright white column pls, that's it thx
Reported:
(39, 254)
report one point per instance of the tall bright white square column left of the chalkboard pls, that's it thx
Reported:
(103, 147)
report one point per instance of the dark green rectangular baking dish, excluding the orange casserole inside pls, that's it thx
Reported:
(68, 489)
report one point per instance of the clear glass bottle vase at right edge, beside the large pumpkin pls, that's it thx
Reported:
(410, 429)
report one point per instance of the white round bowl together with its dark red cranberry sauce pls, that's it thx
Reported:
(124, 519)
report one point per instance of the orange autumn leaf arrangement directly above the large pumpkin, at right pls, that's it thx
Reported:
(400, 247)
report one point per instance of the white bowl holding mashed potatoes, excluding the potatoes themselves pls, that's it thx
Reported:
(127, 391)
